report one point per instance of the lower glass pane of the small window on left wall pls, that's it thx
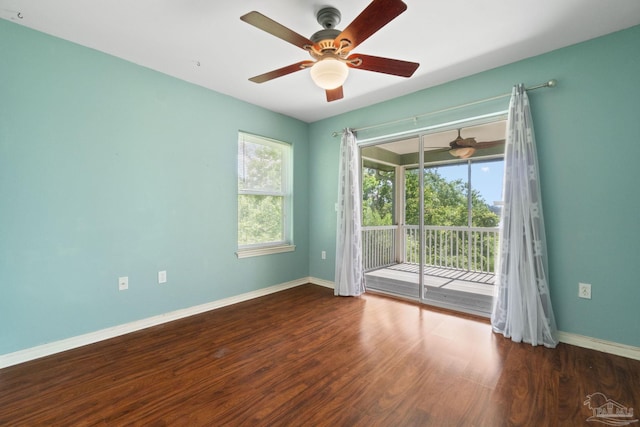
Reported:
(260, 219)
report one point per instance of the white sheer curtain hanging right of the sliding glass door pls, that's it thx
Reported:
(522, 307)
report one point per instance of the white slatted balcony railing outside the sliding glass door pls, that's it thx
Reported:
(467, 248)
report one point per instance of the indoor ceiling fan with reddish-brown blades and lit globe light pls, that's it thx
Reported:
(331, 48)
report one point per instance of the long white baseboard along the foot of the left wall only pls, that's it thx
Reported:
(43, 350)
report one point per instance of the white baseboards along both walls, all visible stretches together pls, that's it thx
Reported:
(37, 352)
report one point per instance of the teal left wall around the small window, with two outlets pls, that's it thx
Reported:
(109, 169)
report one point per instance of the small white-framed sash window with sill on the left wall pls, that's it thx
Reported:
(264, 196)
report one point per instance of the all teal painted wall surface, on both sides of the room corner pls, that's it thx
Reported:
(108, 169)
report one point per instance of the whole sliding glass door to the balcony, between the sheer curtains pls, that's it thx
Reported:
(431, 218)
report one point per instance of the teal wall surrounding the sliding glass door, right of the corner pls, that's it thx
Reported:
(588, 135)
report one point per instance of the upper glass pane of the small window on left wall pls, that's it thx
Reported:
(260, 167)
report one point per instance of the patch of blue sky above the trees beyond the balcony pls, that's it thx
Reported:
(486, 177)
